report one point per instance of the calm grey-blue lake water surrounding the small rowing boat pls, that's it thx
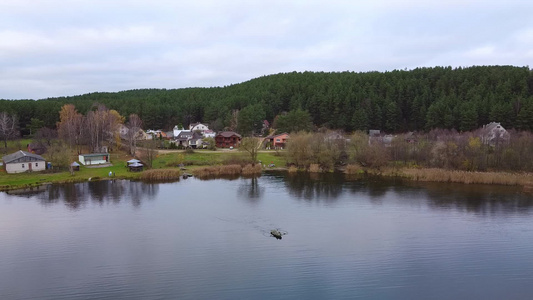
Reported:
(197, 239)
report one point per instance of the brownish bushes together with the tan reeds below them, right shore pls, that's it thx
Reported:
(440, 155)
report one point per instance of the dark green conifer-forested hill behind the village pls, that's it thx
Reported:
(396, 101)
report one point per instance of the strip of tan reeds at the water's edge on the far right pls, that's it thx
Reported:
(441, 175)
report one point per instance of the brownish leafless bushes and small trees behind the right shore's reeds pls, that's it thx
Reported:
(439, 148)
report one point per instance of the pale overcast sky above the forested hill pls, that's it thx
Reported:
(52, 48)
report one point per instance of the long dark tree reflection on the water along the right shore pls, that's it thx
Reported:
(484, 199)
